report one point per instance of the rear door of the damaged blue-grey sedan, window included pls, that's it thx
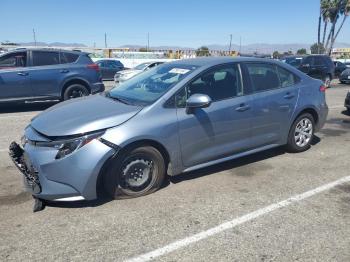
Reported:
(275, 93)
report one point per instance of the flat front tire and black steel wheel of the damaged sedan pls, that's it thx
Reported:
(137, 172)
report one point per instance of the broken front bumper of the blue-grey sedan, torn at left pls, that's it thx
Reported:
(71, 178)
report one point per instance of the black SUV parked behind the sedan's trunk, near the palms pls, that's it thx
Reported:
(319, 67)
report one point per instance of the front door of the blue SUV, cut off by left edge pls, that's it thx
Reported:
(14, 78)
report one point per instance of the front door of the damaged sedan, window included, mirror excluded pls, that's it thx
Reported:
(223, 128)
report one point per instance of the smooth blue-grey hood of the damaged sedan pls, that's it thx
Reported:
(83, 115)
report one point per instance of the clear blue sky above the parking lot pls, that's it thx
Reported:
(186, 23)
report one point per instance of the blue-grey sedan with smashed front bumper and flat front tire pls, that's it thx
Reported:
(173, 119)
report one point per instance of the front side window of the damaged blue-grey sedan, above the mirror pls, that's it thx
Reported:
(221, 83)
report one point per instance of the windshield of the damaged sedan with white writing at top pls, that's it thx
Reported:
(147, 87)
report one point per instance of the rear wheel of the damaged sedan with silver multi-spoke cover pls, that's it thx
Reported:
(301, 142)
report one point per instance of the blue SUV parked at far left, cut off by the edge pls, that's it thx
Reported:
(47, 74)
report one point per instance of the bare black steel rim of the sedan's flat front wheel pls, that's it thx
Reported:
(137, 174)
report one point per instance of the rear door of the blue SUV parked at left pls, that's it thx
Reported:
(46, 73)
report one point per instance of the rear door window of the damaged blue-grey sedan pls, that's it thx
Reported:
(263, 77)
